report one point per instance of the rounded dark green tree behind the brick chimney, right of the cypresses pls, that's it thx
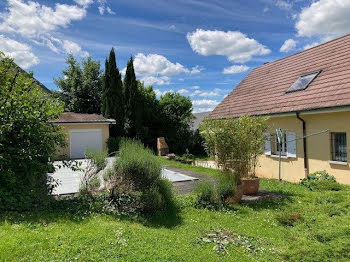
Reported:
(176, 113)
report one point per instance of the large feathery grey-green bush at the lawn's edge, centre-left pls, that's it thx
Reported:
(138, 172)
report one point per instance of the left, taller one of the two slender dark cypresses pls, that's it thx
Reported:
(112, 95)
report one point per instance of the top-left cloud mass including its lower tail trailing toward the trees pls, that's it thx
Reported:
(39, 23)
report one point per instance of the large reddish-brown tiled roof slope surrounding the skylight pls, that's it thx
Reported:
(263, 91)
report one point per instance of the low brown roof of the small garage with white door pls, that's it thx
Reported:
(70, 117)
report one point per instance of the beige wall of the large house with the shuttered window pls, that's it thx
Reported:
(318, 147)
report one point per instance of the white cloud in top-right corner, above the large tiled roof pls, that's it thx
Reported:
(324, 18)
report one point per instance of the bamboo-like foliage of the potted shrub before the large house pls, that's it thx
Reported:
(236, 143)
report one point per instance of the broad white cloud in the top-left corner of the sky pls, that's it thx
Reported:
(30, 19)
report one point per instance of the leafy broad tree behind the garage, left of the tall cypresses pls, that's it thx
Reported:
(80, 86)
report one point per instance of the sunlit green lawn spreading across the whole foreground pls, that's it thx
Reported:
(322, 232)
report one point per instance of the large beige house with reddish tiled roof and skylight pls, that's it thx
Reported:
(307, 95)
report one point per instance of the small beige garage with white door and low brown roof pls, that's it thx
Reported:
(84, 131)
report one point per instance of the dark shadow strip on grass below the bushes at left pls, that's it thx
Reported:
(80, 209)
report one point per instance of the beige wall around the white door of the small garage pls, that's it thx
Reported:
(67, 127)
